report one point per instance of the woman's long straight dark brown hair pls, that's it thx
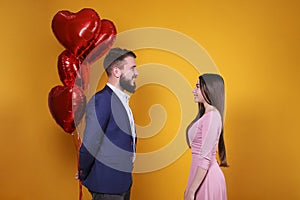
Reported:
(212, 89)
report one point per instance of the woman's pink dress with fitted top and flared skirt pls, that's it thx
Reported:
(204, 136)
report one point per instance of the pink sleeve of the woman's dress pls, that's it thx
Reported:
(208, 134)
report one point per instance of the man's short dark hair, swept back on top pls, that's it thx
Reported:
(114, 57)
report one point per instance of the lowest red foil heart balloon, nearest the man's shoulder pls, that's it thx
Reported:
(67, 106)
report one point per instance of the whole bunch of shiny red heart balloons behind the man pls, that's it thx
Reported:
(86, 38)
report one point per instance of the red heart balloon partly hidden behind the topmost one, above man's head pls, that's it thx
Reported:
(105, 40)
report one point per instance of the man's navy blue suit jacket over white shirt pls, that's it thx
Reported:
(105, 159)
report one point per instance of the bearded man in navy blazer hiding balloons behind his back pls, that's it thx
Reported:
(108, 149)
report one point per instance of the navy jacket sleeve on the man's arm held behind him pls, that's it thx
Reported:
(97, 117)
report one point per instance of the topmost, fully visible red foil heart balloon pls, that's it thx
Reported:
(76, 31)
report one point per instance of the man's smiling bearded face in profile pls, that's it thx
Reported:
(129, 73)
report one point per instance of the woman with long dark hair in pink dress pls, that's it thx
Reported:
(206, 180)
